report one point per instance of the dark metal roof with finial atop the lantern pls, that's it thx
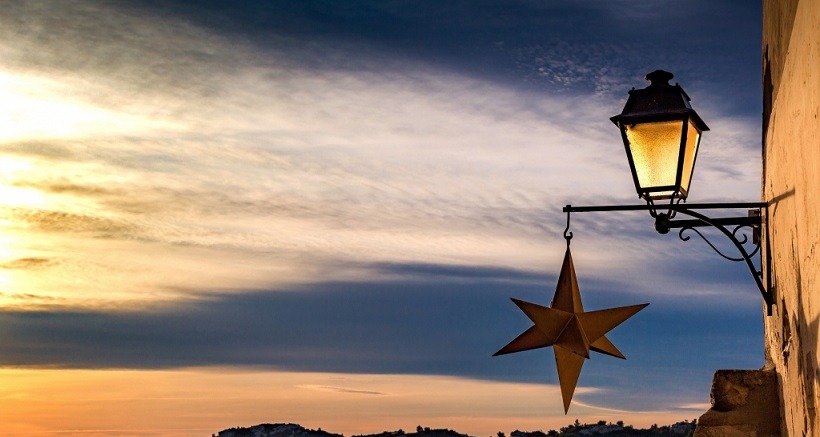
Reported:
(659, 101)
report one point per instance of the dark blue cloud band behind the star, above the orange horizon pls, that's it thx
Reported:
(438, 326)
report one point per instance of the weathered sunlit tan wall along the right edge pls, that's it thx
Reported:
(791, 185)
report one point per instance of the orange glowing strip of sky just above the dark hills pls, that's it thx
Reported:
(204, 401)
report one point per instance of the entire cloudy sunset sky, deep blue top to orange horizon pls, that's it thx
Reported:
(218, 214)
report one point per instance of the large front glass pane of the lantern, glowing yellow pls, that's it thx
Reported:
(655, 149)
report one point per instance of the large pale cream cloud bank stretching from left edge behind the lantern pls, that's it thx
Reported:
(282, 171)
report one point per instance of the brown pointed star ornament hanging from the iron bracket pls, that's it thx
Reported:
(571, 331)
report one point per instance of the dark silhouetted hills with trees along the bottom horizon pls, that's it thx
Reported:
(680, 429)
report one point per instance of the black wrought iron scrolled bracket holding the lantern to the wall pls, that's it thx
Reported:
(664, 222)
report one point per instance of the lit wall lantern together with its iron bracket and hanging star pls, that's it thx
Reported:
(661, 134)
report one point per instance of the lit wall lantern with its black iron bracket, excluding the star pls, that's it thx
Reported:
(661, 135)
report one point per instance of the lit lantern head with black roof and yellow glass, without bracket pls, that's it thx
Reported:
(661, 134)
